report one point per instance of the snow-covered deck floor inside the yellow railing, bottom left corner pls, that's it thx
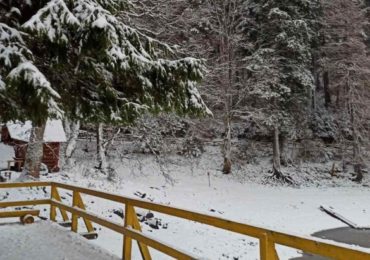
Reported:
(46, 240)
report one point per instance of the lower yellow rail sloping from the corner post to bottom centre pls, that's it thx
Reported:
(176, 253)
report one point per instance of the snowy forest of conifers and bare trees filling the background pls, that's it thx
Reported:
(285, 80)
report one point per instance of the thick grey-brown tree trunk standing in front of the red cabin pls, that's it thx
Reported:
(34, 152)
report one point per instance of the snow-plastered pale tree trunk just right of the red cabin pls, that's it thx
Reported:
(72, 130)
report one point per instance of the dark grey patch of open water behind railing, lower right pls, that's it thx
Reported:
(347, 235)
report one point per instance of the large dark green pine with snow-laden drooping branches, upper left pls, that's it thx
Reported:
(98, 68)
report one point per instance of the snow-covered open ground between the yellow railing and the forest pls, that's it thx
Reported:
(287, 209)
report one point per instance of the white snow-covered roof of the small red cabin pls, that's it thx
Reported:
(54, 131)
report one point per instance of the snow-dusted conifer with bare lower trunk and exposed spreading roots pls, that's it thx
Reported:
(279, 64)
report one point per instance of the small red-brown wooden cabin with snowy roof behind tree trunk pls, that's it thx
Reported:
(18, 135)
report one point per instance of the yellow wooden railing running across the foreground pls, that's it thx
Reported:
(131, 229)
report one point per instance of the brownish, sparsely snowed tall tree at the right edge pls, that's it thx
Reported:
(347, 67)
